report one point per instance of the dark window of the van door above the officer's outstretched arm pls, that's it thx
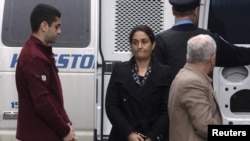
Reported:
(230, 18)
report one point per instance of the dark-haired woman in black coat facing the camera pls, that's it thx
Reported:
(136, 99)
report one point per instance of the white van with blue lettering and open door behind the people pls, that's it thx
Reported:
(94, 37)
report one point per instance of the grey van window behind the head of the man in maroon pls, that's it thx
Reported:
(75, 22)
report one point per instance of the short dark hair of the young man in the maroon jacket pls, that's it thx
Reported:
(43, 12)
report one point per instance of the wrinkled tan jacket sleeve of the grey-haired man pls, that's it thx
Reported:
(201, 112)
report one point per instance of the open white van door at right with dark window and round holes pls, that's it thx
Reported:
(230, 19)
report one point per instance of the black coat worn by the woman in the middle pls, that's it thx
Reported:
(131, 109)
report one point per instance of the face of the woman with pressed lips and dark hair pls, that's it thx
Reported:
(141, 45)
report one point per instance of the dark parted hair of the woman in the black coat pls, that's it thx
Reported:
(144, 28)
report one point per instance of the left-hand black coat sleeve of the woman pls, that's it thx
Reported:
(113, 109)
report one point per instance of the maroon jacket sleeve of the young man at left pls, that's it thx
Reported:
(42, 97)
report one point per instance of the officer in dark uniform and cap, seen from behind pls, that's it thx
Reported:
(171, 43)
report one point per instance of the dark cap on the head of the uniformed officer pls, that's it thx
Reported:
(184, 5)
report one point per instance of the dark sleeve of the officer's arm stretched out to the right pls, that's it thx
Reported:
(229, 55)
